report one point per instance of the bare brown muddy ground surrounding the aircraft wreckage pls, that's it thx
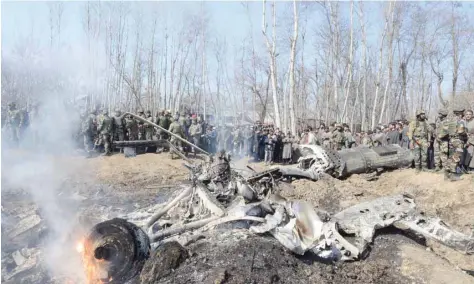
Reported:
(106, 187)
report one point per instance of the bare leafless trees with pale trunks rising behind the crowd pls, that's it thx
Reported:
(363, 63)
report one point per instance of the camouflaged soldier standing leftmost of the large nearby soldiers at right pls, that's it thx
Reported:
(419, 133)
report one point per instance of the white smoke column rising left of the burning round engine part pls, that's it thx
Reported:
(43, 164)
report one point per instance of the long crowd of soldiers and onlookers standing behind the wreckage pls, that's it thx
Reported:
(447, 144)
